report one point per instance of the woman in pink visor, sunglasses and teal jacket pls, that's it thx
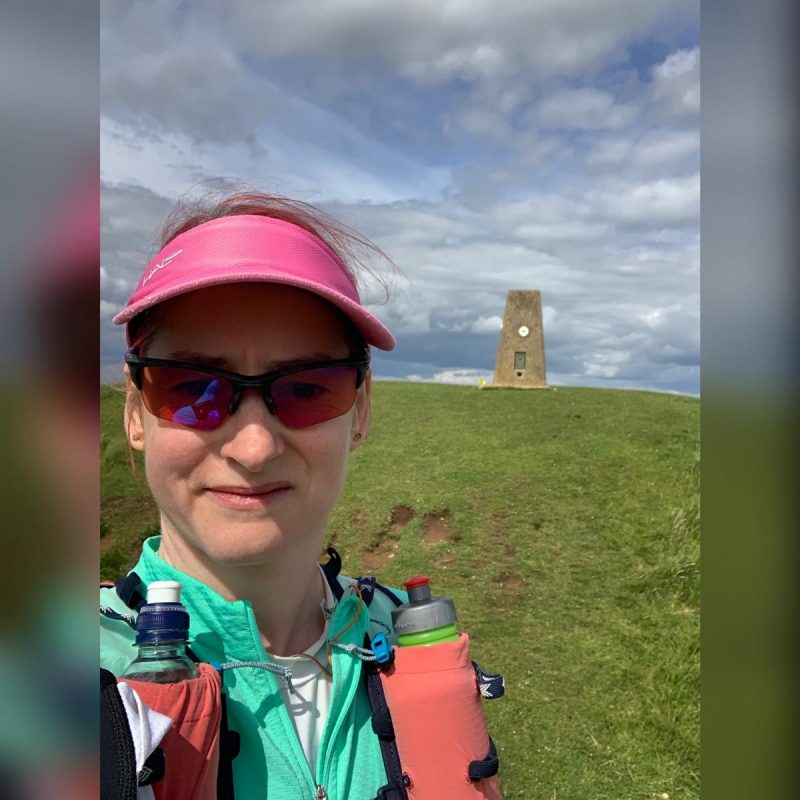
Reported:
(248, 386)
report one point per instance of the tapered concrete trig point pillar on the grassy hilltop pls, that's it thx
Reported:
(520, 354)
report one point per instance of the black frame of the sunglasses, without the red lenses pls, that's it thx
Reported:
(263, 383)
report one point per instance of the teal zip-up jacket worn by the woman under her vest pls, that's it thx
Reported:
(271, 764)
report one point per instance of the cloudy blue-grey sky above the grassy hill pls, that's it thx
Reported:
(485, 145)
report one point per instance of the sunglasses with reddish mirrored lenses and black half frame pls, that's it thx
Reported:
(201, 397)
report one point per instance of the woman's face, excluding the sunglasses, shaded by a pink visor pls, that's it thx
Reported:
(252, 491)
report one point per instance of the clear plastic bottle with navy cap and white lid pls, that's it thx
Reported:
(162, 633)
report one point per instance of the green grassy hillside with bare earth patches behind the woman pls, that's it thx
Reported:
(569, 539)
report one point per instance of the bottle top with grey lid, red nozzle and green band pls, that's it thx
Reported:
(425, 619)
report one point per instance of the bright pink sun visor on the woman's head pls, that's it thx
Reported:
(249, 247)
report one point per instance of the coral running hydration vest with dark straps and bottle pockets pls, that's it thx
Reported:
(426, 714)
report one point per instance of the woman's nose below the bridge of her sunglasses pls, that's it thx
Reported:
(253, 436)
